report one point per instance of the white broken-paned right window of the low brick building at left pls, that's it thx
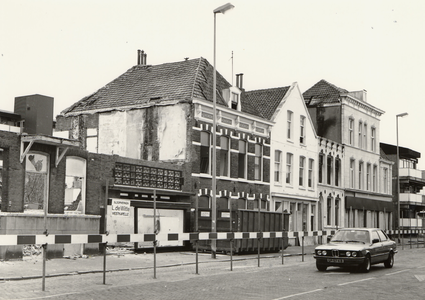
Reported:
(75, 185)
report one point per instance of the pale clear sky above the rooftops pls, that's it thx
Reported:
(70, 49)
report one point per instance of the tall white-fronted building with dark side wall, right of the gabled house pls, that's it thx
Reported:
(348, 119)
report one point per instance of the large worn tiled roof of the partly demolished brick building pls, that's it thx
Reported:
(144, 85)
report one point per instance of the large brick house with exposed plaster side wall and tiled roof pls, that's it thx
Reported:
(164, 113)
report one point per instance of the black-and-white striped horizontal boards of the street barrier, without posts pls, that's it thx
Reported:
(14, 240)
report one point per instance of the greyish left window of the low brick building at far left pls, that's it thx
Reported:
(36, 181)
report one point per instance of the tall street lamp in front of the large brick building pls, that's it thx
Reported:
(222, 9)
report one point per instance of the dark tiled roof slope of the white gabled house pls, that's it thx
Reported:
(266, 101)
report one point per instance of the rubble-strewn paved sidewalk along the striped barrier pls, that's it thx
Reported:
(30, 267)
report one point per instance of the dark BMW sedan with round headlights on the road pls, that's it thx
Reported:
(356, 247)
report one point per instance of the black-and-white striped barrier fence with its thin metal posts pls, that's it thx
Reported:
(194, 237)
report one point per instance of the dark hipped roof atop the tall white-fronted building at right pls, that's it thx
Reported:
(323, 92)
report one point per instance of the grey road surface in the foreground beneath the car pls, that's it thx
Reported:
(272, 280)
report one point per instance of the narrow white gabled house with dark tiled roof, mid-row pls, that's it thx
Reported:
(293, 155)
